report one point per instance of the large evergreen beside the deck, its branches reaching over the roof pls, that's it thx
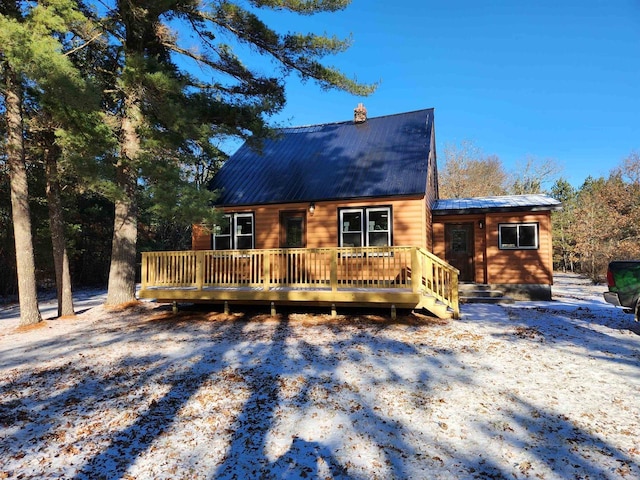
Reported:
(166, 117)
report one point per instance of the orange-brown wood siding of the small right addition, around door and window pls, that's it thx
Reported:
(495, 266)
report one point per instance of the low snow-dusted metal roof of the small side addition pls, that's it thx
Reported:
(508, 203)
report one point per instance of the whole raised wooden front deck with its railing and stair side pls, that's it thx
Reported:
(402, 277)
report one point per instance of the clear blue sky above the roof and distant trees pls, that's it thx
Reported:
(549, 79)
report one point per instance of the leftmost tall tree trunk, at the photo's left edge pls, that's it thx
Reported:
(25, 263)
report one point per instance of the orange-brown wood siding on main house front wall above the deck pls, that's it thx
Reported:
(409, 222)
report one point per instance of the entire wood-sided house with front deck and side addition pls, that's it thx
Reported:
(349, 213)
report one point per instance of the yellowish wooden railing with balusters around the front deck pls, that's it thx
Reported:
(327, 268)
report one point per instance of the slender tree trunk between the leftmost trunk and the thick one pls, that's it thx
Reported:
(56, 219)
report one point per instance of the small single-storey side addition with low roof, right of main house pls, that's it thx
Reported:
(503, 242)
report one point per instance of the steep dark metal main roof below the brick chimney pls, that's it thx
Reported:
(385, 156)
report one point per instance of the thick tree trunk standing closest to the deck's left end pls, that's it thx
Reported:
(122, 271)
